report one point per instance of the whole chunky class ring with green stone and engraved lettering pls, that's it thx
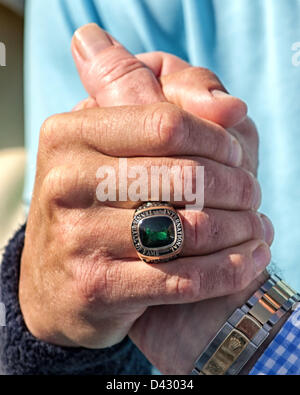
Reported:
(157, 232)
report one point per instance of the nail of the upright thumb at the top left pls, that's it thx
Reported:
(90, 40)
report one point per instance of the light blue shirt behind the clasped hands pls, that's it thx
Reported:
(247, 43)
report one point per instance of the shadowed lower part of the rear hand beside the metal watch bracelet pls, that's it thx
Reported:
(184, 331)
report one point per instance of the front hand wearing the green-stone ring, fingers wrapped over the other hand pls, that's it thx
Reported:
(81, 283)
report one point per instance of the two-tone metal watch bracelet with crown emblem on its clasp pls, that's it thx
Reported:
(247, 329)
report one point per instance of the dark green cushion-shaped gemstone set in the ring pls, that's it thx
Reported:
(157, 232)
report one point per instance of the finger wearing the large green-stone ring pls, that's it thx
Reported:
(205, 231)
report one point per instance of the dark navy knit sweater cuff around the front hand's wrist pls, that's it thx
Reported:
(23, 354)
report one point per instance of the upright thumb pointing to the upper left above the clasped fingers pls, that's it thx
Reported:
(111, 74)
